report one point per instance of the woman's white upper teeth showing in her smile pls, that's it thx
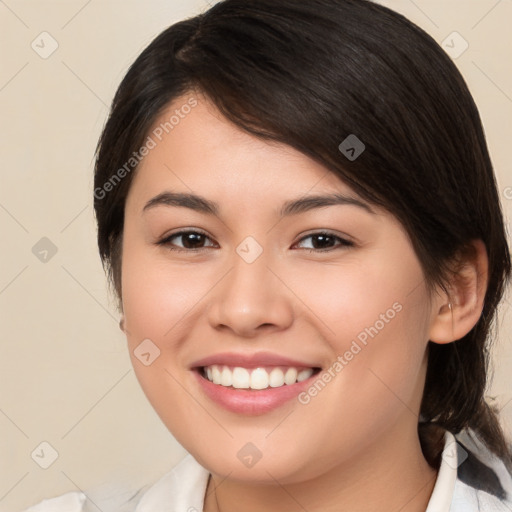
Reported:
(257, 378)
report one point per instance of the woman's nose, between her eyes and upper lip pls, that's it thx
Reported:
(250, 299)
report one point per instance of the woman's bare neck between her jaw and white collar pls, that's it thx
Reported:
(390, 475)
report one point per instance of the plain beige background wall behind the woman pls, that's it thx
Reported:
(65, 376)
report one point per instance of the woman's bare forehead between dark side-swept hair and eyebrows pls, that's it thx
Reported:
(194, 148)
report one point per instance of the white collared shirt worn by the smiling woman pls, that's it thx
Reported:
(470, 479)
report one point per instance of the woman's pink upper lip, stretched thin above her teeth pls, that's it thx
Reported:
(257, 359)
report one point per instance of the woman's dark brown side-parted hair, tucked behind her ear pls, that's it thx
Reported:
(309, 74)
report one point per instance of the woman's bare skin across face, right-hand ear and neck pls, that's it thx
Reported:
(355, 445)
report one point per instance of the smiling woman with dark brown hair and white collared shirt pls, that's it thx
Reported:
(298, 213)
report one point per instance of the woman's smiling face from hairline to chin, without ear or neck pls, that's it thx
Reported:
(254, 275)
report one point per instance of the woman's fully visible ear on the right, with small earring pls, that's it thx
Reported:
(455, 313)
